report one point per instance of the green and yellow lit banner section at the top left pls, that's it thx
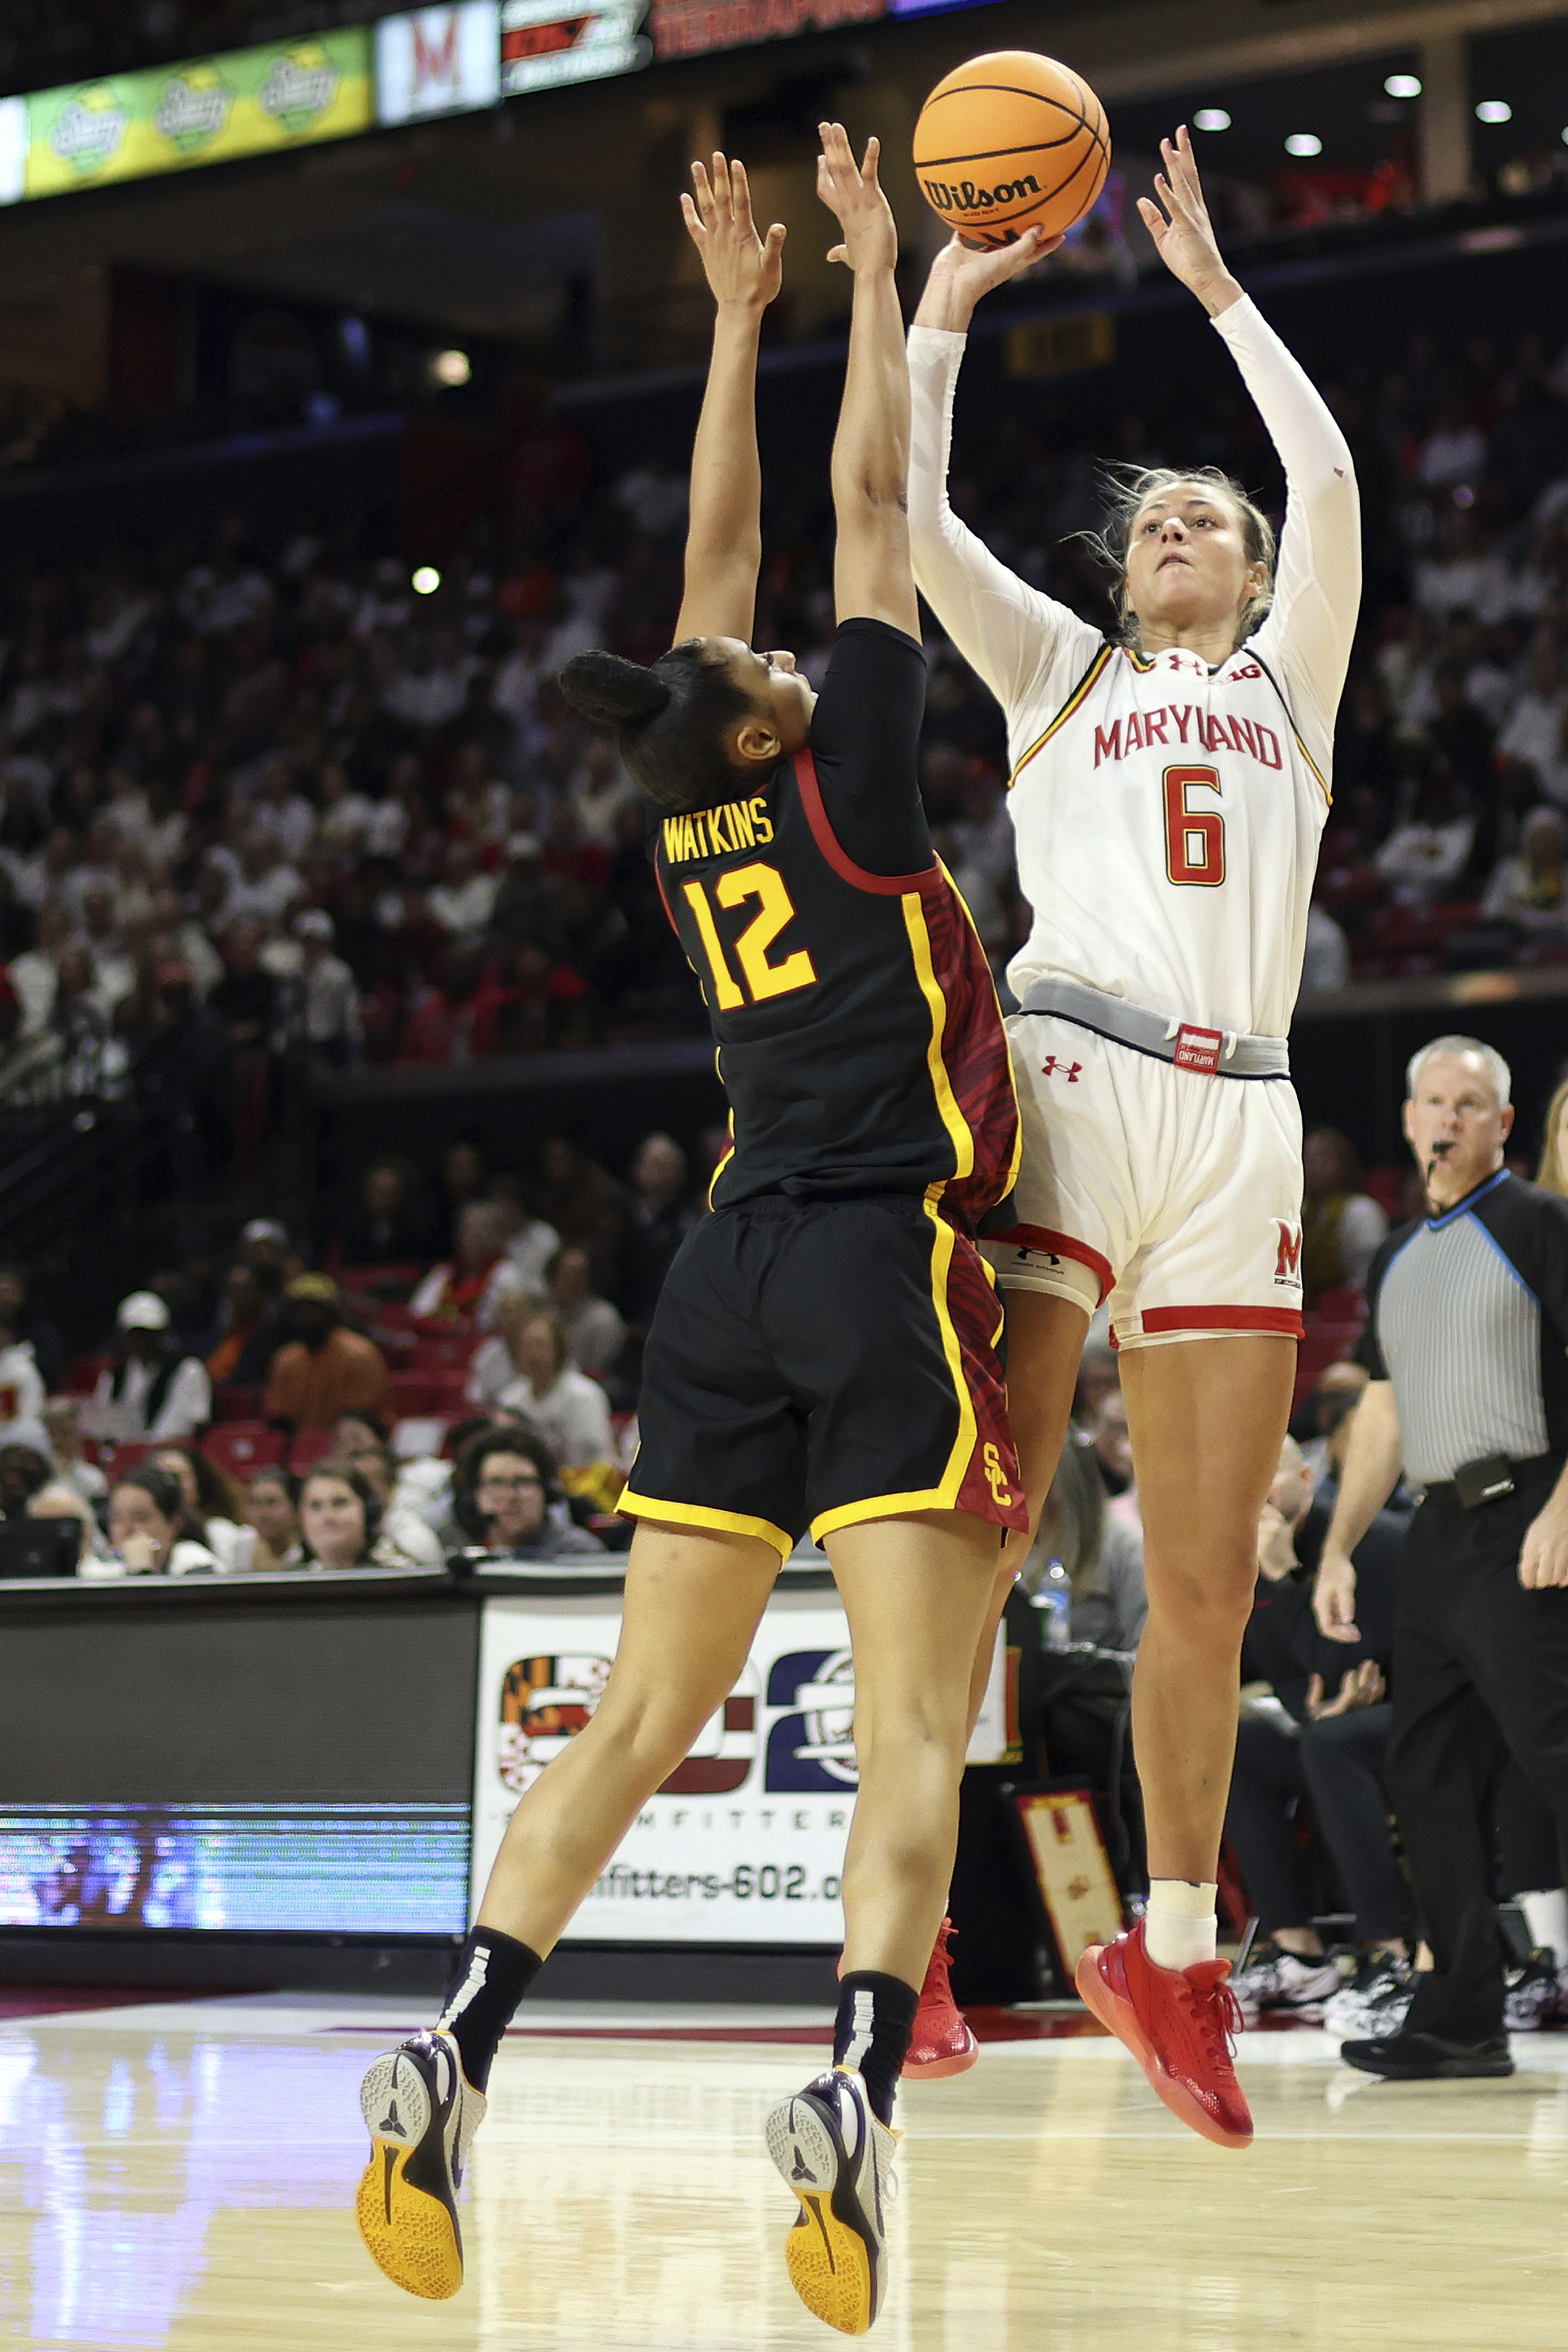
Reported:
(253, 102)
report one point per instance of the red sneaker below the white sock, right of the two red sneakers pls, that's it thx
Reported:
(1179, 2026)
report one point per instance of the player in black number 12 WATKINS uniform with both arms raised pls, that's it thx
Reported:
(824, 1351)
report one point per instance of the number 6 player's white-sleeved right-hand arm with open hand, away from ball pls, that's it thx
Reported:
(1318, 582)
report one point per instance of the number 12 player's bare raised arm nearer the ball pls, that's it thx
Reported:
(871, 453)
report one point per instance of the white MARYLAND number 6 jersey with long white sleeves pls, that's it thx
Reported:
(1167, 813)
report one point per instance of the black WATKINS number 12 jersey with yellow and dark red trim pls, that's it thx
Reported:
(859, 1034)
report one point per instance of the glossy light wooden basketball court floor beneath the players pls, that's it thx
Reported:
(182, 2177)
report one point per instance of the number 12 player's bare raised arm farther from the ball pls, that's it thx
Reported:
(725, 530)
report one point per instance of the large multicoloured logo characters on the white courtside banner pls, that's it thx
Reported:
(549, 1699)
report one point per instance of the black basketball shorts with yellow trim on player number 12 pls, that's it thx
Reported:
(824, 1363)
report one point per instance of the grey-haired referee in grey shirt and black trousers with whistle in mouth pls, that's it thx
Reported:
(1468, 1356)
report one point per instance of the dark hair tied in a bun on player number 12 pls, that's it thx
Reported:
(671, 719)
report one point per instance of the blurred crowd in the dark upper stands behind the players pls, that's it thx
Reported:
(267, 813)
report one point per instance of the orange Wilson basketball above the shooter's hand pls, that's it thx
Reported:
(1012, 142)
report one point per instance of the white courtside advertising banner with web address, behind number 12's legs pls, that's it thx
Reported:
(746, 1838)
